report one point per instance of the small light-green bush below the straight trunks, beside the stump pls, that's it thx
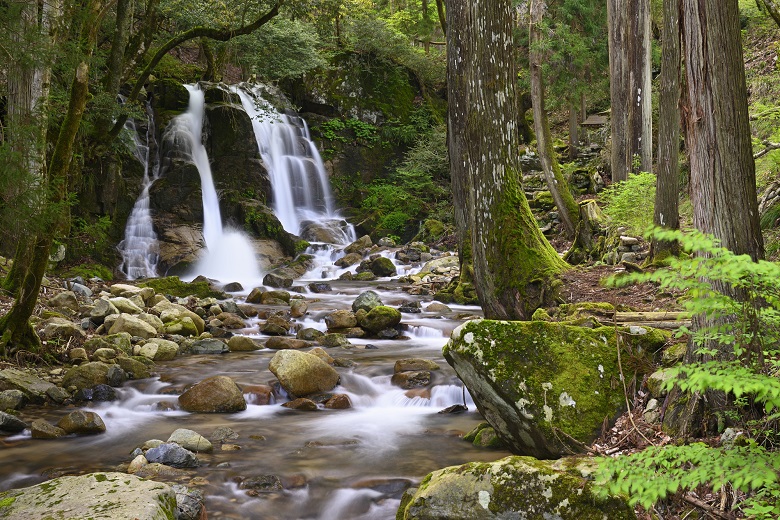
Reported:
(630, 203)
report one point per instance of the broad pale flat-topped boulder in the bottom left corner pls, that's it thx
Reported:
(95, 495)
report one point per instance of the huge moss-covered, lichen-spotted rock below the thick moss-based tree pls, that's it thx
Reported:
(541, 384)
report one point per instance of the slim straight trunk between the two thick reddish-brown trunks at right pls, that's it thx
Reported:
(666, 211)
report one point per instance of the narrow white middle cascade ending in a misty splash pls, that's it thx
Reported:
(229, 255)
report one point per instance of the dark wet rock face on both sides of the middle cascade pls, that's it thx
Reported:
(240, 178)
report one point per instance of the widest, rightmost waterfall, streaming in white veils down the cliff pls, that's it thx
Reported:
(301, 190)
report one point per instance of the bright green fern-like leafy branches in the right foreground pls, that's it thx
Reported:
(749, 328)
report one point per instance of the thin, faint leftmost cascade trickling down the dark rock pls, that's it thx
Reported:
(139, 247)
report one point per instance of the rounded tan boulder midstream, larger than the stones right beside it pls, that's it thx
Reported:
(302, 374)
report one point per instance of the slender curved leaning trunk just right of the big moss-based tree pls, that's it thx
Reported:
(568, 210)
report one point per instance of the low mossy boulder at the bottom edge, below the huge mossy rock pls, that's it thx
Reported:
(513, 487)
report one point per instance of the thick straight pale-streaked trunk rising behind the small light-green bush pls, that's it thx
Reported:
(629, 63)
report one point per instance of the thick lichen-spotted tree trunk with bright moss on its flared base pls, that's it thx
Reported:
(514, 266)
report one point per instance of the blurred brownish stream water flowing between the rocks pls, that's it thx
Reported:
(334, 464)
